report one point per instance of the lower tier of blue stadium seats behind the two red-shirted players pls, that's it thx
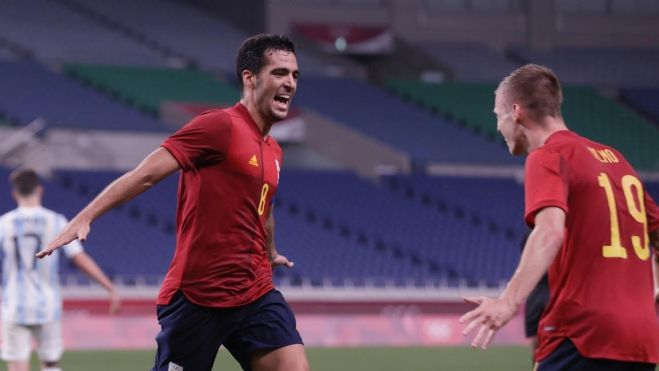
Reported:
(347, 231)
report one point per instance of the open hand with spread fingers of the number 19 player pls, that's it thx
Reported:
(491, 314)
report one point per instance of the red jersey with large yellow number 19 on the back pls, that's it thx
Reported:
(601, 286)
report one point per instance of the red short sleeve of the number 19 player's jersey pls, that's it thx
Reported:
(545, 184)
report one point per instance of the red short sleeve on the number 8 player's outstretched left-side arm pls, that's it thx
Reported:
(202, 141)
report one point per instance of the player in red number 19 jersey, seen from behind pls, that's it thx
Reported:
(593, 229)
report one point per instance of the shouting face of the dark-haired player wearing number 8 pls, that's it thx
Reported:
(275, 85)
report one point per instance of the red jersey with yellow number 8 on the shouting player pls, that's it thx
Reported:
(229, 175)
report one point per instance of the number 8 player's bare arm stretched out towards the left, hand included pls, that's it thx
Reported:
(158, 165)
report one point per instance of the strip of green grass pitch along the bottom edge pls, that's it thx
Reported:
(331, 359)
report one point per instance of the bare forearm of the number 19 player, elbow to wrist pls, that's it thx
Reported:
(540, 251)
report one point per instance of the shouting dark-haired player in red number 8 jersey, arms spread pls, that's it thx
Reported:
(218, 289)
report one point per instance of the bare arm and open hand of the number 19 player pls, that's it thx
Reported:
(541, 248)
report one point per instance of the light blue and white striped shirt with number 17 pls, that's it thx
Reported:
(30, 286)
